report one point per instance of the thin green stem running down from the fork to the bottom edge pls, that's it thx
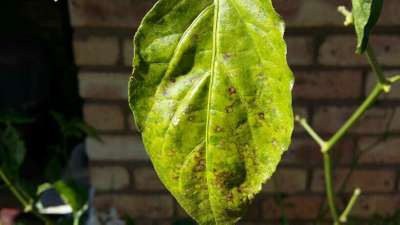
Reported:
(330, 193)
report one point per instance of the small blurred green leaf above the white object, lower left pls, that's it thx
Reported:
(73, 194)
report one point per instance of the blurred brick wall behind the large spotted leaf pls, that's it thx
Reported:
(331, 82)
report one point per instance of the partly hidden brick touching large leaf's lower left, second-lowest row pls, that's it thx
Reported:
(146, 179)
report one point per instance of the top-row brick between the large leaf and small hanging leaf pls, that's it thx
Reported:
(311, 13)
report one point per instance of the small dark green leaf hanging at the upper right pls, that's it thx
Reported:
(366, 14)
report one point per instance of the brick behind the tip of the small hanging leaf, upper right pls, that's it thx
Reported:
(340, 51)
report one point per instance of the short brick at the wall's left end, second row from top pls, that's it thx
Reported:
(93, 51)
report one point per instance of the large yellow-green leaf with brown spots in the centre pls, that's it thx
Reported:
(211, 94)
